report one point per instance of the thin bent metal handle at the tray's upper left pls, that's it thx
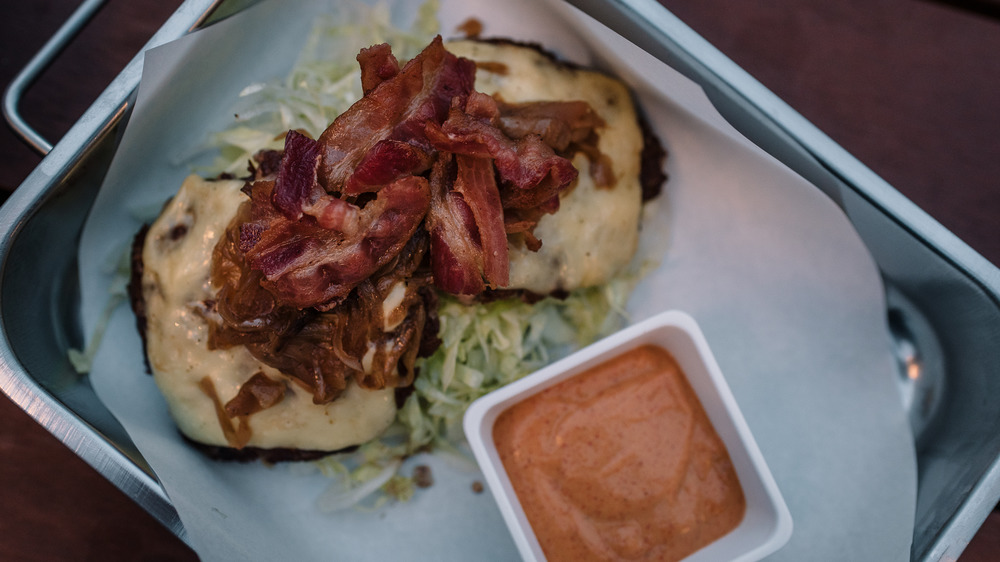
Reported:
(38, 63)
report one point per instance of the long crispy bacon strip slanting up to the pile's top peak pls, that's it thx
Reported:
(394, 110)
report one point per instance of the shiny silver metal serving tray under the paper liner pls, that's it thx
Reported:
(944, 299)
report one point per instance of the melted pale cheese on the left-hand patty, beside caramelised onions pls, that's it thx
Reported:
(177, 258)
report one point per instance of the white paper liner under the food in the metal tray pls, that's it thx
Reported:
(783, 288)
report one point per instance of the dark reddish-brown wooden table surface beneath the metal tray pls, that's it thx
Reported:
(908, 86)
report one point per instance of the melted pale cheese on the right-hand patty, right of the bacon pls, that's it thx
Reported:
(595, 233)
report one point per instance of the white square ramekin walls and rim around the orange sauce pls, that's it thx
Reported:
(767, 523)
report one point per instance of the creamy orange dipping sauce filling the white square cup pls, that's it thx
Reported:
(620, 463)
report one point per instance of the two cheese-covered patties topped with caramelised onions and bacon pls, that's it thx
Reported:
(282, 313)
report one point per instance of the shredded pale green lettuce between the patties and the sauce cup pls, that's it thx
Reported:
(486, 346)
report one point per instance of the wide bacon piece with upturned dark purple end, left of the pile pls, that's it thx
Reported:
(313, 248)
